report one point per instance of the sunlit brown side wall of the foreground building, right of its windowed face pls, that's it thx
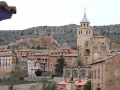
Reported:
(112, 73)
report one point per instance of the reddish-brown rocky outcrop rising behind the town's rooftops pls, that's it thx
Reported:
(42, 42)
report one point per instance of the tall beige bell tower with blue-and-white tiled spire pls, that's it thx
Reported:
(84, 33)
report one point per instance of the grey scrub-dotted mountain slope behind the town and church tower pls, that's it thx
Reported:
(65, 35)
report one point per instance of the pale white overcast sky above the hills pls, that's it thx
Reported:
(32, 13)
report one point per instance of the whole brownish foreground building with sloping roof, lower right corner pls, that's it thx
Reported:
(106, 73)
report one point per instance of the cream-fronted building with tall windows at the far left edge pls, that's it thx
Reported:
(7, 63)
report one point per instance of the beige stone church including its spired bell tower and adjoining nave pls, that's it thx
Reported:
(89, 46)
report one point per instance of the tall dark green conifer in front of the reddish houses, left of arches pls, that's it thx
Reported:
(60, 65)
